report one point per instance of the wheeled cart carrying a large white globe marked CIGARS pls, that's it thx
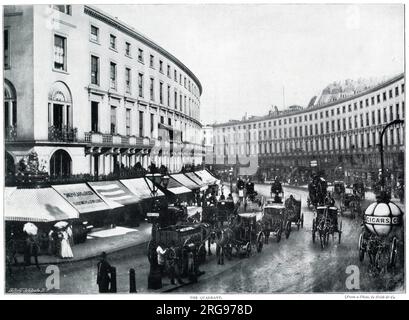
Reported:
(380, 236)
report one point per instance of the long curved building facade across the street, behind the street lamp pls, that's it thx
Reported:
(343, 134)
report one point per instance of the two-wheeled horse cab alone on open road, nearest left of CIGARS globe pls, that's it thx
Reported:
(325, 223)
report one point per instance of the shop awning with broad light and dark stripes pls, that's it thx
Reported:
(114, 193)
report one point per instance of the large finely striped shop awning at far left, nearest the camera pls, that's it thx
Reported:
(37, 205)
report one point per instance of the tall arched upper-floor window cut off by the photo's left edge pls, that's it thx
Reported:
(10, 109)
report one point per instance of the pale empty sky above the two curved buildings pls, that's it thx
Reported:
(251, 57)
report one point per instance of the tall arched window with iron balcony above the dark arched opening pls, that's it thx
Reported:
(59, 111)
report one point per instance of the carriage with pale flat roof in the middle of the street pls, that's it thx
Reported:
(274, 220)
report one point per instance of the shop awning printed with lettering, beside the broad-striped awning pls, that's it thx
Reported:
(81, 197)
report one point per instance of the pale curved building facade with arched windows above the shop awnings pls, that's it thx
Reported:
(89, 94)
